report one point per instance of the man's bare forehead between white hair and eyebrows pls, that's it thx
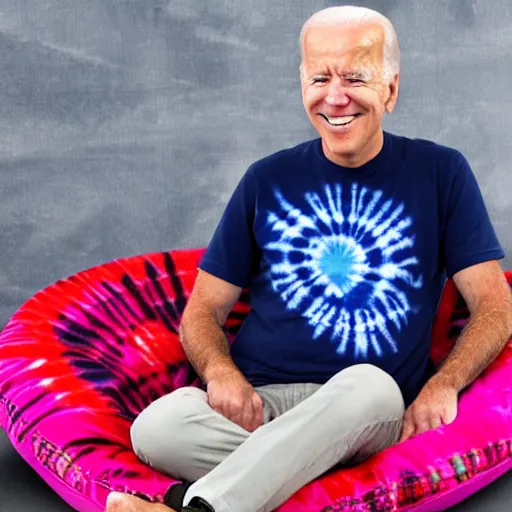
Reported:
(360, 46)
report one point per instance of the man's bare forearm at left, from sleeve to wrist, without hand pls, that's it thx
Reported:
(201, 332)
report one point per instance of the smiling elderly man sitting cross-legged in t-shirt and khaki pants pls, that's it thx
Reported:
(345, 242)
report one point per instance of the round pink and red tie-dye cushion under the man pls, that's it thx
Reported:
(82, 358)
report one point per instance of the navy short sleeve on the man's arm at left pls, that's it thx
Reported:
(232, 252)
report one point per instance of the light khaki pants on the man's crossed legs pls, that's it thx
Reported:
(309, 428)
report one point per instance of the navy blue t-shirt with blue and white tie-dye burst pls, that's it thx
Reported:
(347, 265)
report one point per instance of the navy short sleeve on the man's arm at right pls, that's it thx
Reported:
(469, 237)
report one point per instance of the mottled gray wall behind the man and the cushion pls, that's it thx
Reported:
(126, 124)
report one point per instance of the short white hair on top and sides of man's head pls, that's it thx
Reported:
(352, 15)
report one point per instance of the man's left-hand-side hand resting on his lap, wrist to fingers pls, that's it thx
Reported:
(232, 395)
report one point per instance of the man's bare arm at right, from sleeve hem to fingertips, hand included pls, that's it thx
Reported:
(489, 301)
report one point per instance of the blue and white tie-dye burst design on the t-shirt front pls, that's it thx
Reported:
(345, 263)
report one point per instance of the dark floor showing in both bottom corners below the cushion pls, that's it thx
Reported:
(21, 489)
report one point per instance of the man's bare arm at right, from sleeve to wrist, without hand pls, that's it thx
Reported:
(489, 300)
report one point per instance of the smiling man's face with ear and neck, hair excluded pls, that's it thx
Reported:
(344, 92)
